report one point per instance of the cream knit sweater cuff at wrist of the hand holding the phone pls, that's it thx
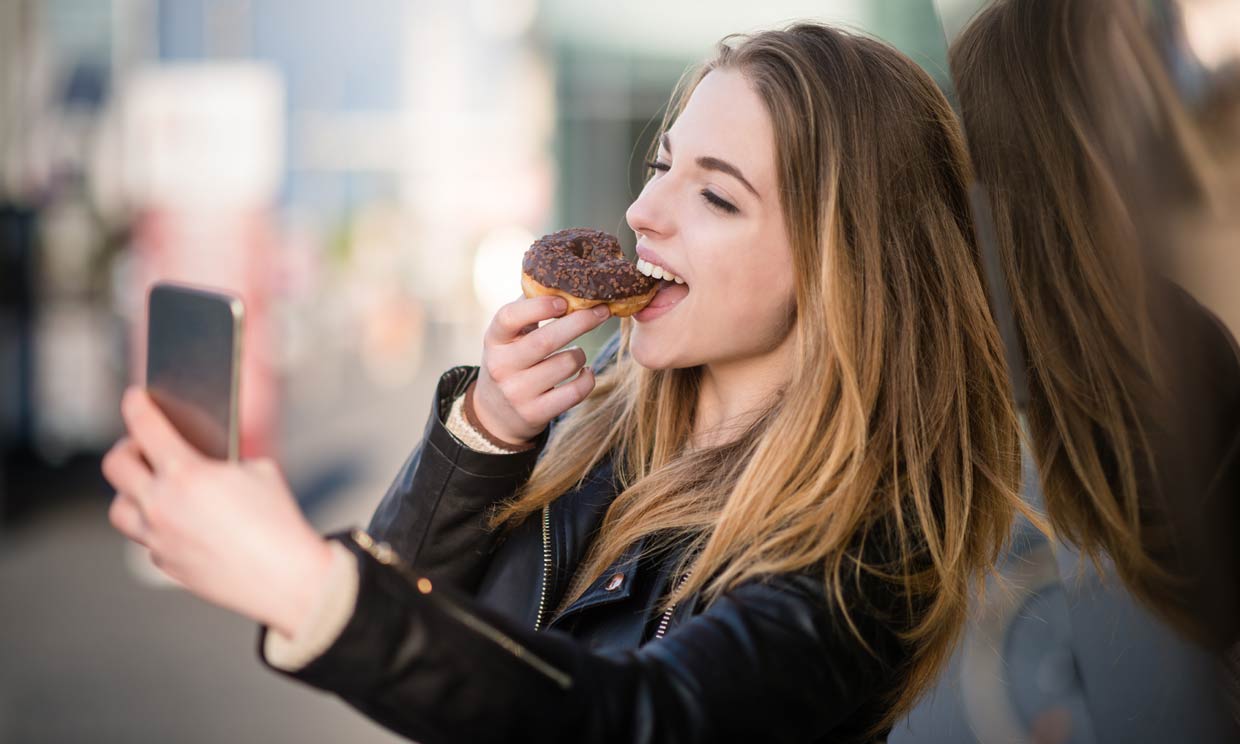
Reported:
(327, 621)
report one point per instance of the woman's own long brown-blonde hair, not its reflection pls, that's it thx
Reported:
(896, 427)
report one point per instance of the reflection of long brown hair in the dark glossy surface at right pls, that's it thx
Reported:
(1061, 101)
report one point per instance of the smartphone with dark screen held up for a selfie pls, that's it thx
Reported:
(194, 364)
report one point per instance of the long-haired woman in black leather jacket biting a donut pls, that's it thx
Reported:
(764, 518)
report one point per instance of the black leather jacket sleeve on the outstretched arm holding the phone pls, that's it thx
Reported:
(769, 662)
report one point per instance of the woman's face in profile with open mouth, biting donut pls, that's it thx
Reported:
(711, 215)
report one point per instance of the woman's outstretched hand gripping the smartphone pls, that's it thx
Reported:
(230, 533)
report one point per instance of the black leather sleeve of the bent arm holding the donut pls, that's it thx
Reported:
(435, 513)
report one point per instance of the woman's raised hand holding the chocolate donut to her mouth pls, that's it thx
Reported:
(516, 395)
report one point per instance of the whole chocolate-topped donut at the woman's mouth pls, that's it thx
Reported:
(587, 268)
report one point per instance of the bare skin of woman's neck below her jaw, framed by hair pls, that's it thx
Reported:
(735, 394)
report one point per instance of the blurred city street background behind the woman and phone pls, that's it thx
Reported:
(366, 175)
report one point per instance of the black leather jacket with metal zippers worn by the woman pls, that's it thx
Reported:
(458, 659)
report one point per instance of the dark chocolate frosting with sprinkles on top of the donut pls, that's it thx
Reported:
(586, 263)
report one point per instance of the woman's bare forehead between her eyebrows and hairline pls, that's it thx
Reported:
(725, 118)
